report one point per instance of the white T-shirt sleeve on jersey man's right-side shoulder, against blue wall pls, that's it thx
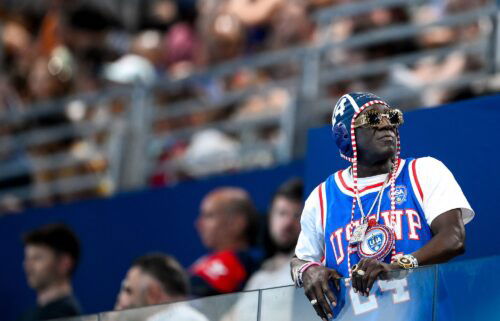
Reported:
(439, 190)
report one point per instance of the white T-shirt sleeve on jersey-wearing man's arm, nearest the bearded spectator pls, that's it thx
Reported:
(310, 246)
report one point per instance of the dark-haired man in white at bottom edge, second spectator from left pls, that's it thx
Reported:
(157, 279)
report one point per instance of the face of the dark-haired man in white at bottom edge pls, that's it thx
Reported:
(133, 291)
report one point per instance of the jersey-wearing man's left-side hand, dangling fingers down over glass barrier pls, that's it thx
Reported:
(316, 287)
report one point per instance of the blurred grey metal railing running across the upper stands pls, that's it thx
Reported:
(121, 128)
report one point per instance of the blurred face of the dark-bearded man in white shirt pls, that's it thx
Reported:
(285, 222)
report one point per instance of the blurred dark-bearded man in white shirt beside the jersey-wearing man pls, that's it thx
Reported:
(284, 229)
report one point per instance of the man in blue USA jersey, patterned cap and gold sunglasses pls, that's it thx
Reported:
(381, 214)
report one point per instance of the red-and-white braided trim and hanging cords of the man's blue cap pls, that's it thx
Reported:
(354, 161)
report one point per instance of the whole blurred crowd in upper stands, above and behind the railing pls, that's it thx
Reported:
(54, 49)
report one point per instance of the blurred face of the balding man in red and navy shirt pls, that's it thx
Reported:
(212, 223)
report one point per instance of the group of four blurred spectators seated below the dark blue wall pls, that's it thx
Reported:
(246, 251)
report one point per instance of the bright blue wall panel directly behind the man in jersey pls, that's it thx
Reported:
(465, 136)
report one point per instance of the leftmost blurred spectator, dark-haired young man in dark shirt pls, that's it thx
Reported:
(51, 257)
